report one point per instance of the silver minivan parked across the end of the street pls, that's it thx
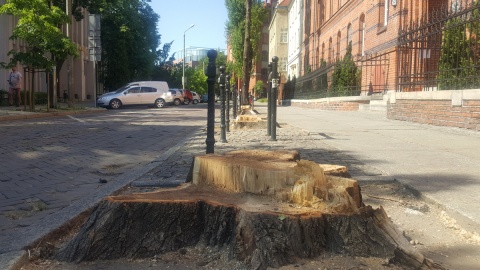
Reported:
(154, 93)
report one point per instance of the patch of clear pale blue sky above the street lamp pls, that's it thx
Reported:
(176, 16)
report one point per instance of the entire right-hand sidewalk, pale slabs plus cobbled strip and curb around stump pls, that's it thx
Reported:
(440, 163)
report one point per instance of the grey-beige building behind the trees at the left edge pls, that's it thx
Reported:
(76, 75)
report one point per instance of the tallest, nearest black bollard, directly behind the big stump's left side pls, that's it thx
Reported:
(211, 74)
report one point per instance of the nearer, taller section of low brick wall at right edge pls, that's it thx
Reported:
(459, 109)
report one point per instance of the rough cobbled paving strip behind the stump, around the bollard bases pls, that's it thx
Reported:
(174, 170)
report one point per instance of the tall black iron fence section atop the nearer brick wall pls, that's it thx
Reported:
(441, 51)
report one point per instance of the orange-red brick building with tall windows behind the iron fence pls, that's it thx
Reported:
(370, 26)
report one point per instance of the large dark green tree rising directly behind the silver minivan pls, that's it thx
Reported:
(129, 42)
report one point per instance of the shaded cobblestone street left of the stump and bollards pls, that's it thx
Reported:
(49, 164)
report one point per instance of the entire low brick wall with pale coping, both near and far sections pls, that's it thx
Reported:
(455, 108)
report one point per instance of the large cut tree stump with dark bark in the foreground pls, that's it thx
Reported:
(267, 208)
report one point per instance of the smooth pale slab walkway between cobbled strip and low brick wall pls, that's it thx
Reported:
(439, 162)
